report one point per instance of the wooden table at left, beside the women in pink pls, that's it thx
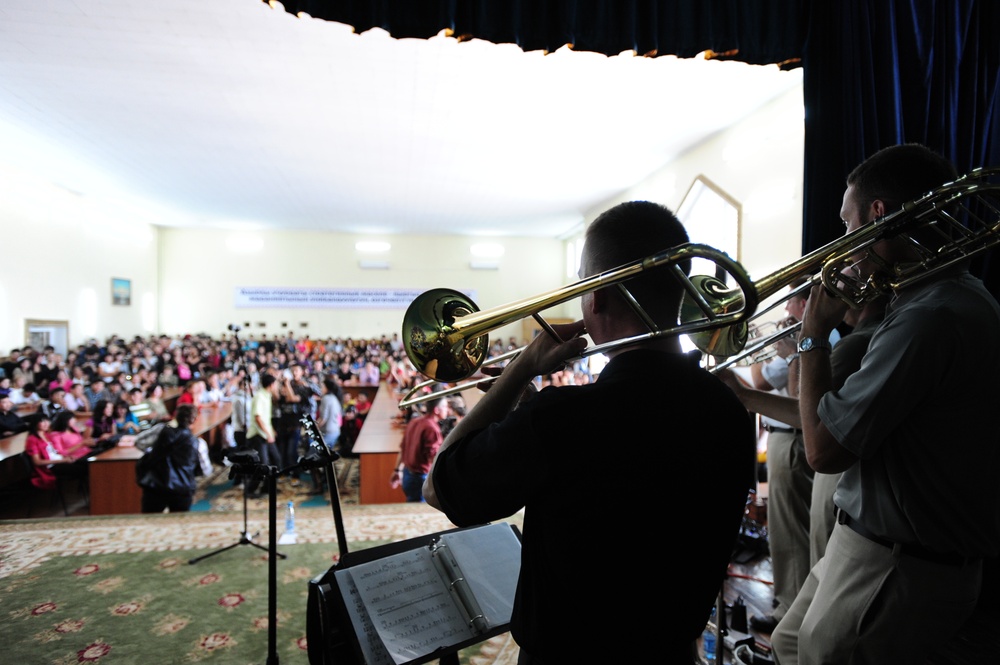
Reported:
(113, 490)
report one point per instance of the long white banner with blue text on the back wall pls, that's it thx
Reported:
(324, 298)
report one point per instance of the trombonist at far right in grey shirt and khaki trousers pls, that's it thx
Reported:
(914, 433)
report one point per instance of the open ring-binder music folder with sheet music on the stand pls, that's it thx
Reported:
(420, 599)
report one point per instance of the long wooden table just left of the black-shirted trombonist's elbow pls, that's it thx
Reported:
(379, 442)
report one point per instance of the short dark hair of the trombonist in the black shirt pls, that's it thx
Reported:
(634, 230)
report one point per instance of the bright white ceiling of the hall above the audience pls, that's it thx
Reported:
(232, 114)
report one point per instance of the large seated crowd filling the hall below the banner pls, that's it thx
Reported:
(105, 394)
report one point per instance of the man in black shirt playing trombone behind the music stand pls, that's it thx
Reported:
(583, 590)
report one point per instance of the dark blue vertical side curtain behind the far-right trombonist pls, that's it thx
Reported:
(881, 72)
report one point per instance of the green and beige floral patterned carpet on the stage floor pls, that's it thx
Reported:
(121, 590)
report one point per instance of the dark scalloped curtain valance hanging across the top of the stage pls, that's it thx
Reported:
(759, 32)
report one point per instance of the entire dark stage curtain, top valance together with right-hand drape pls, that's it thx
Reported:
(875, 72)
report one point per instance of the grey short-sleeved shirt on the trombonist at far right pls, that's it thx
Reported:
(919, 414)
